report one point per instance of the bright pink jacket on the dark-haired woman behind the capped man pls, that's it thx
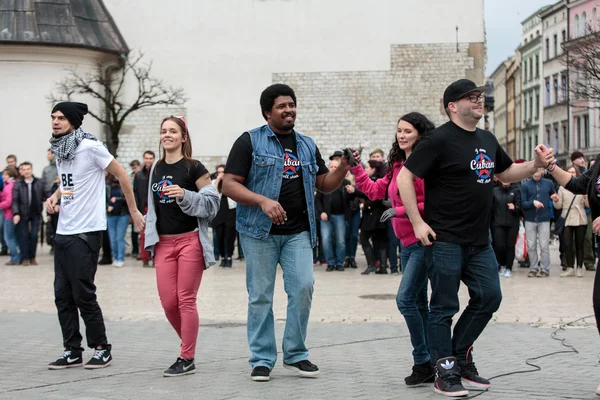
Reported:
(376, 191)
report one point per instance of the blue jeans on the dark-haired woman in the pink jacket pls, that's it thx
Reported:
(412, 297)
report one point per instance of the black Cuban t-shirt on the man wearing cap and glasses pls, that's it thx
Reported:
(458, 167)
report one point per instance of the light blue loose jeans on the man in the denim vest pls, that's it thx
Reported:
(294, 254)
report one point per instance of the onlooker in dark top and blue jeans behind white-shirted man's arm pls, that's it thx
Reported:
(117, 220)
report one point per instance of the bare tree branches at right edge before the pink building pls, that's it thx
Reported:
(583, 64)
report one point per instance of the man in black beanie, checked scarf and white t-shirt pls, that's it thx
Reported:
(81, 160)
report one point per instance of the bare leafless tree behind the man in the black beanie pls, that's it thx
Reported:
(108, 84)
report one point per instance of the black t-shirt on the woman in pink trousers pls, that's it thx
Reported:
(184, 173)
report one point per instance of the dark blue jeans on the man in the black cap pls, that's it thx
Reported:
(477, 267)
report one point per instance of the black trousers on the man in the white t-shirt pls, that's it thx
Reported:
(75, 264)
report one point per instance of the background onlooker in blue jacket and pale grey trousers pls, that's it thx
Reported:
(535, 199)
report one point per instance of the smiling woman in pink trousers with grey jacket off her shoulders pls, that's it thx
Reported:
(181, 201)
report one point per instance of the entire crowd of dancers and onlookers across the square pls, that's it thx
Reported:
(286, 207)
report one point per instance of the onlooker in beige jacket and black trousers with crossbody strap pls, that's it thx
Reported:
(573, 211)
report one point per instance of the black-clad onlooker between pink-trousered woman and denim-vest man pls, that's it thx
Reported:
(224, 222)
